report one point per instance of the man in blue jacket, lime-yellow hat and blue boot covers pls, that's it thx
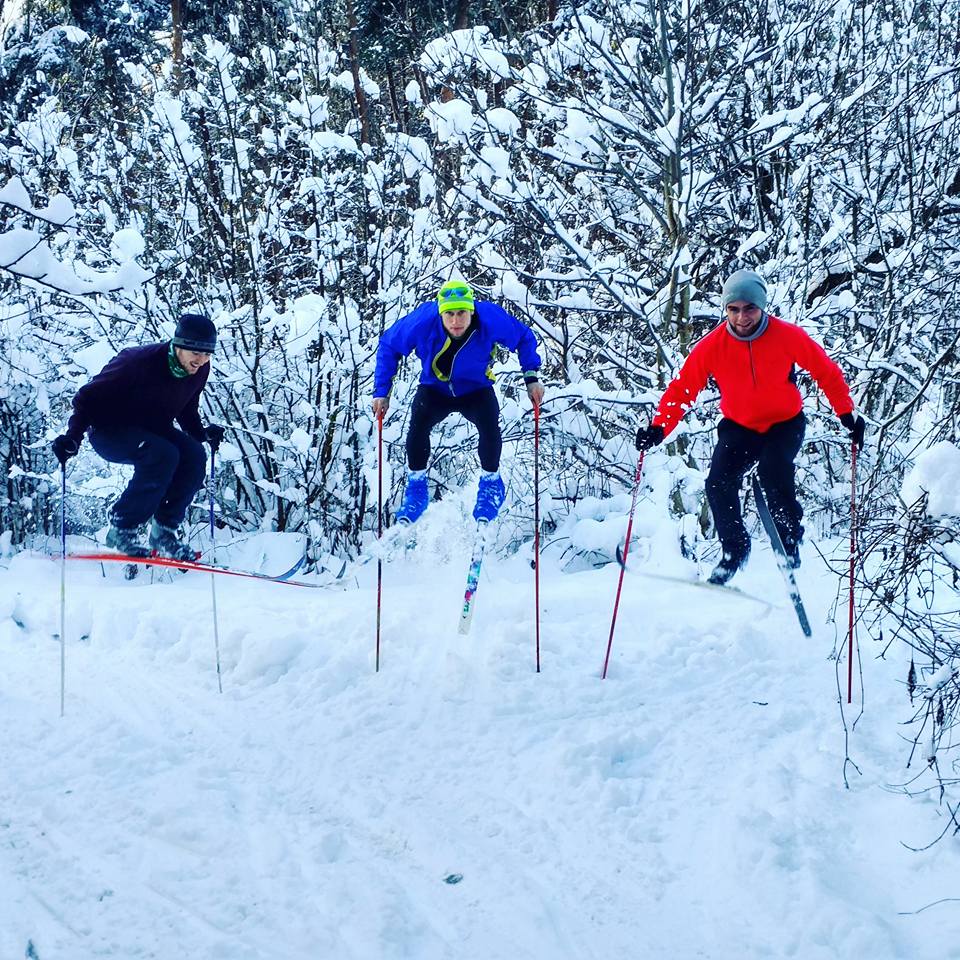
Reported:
(455, 339)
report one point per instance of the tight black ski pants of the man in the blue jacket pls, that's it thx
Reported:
(431, 406)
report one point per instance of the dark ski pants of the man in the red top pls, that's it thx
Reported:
(774, 452)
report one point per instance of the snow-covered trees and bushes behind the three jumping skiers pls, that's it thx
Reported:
(308, 172)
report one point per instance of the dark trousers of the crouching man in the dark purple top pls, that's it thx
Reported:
(168, 469)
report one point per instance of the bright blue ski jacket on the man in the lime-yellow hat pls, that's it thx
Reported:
(423, 331)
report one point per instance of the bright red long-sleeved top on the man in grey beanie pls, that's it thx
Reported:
(755, 377)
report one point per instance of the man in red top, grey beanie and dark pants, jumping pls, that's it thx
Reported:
(752, 358)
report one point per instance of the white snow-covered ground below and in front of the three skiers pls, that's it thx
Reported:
(691, 805)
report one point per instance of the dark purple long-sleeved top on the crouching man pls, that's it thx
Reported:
(137, 389)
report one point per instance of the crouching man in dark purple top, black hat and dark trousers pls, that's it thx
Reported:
(128, 411)
